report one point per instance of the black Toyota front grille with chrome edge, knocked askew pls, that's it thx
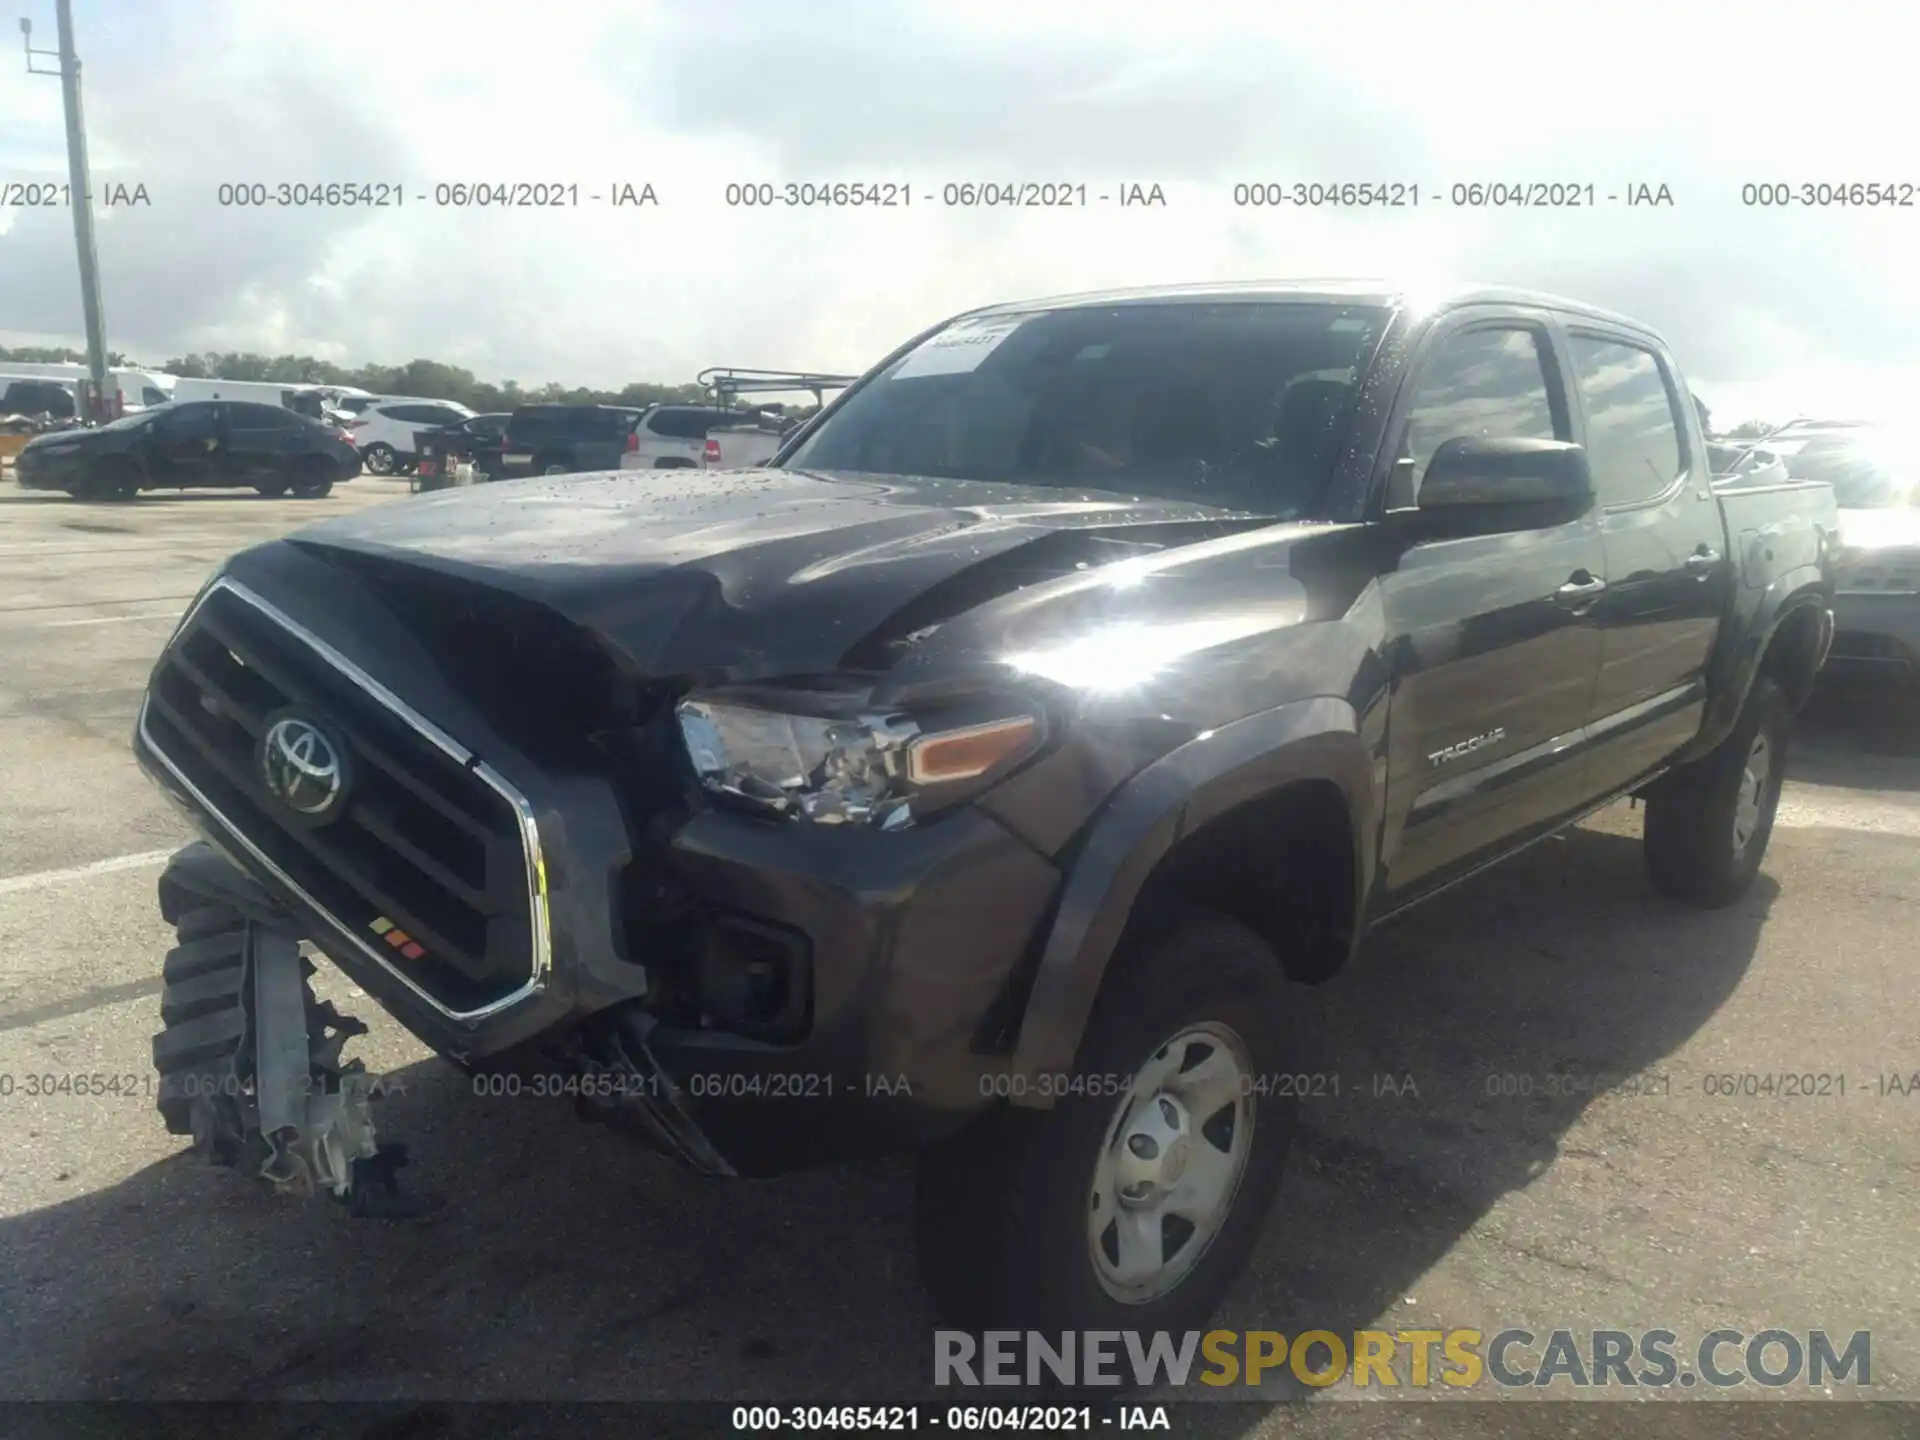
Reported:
(425, 846)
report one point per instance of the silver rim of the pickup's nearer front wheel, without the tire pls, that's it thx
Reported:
(1172, 1164)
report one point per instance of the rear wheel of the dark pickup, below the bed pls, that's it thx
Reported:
(1710, 823)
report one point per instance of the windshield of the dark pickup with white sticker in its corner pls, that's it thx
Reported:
(1241, 406)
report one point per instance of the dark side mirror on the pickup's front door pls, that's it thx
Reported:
(1483, 485)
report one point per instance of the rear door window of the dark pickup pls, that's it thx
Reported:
(1633, 435)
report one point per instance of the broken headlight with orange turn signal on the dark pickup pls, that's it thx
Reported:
(827, 759)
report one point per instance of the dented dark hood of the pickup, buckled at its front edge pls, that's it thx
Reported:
(750, 573)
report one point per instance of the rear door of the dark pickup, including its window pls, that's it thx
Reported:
(1668, 573)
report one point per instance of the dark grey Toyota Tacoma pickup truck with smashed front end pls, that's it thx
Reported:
(984, 777)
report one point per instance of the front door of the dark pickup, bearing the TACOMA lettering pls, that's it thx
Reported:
(1491, 640)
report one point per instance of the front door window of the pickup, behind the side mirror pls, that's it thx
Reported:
(1479, 383)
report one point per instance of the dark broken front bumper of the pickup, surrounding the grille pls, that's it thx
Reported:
(901, 948)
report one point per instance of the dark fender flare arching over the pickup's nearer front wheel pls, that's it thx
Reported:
(1151, 815)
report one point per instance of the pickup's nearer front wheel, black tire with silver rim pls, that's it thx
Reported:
(1136, 1201)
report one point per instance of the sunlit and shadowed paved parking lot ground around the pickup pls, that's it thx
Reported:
(575, 1266)
